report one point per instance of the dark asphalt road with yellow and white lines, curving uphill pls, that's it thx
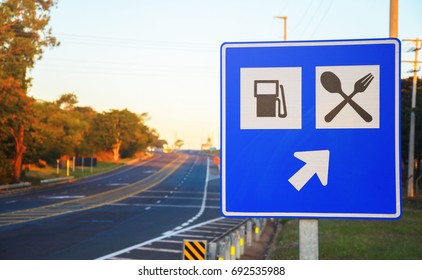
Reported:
(100, 216)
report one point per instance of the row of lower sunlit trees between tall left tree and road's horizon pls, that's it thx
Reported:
(58, 132)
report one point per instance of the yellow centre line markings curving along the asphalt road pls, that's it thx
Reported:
(93, 201)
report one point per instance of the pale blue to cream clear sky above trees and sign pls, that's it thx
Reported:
(162, 57)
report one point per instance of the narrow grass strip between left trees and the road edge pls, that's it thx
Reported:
(37, 174)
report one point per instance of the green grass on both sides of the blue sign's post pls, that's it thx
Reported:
(359, 239)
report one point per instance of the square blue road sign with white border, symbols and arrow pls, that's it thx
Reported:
(311, 129)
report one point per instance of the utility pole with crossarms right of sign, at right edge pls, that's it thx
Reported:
(410, 178)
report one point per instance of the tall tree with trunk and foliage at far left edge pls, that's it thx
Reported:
(23, 37)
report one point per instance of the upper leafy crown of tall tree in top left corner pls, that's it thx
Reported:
(24, 34)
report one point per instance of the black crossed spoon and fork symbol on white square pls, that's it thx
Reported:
(332, 84)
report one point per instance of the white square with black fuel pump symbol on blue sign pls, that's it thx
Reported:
(271, 98)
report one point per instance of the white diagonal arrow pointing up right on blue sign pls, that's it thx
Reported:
(316, 163)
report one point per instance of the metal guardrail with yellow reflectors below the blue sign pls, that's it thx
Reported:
(231, 245)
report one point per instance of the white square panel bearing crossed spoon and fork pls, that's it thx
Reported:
(348, 96)
